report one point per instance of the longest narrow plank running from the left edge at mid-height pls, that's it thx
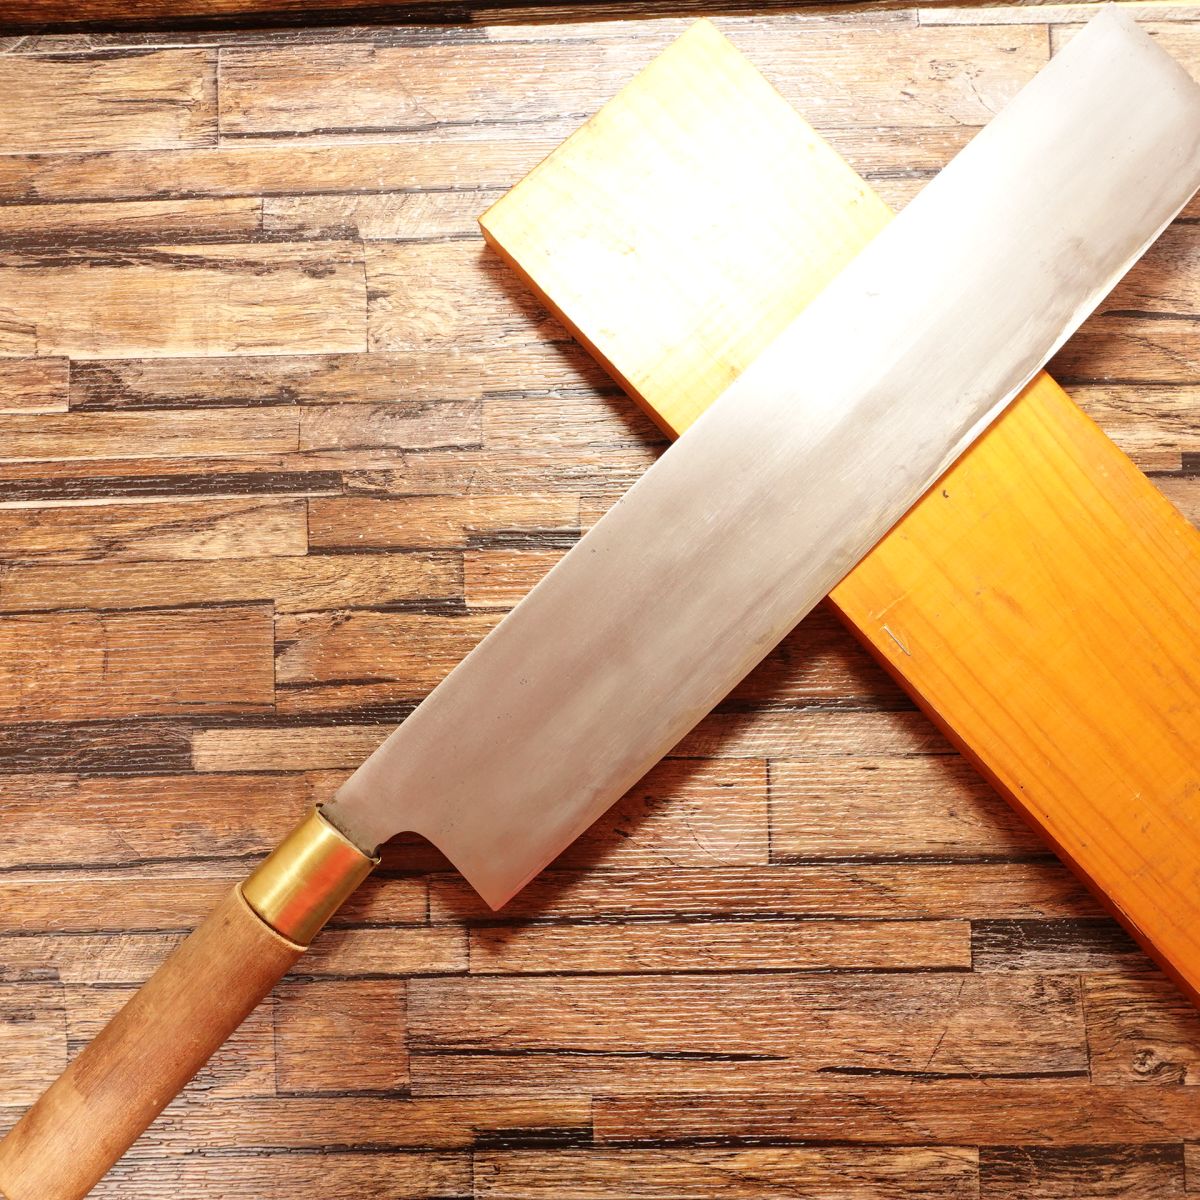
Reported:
(293, 584)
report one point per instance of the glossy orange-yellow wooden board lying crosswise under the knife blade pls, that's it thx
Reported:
(1040, 604)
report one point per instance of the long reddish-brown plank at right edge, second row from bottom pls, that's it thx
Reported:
(956, 1113)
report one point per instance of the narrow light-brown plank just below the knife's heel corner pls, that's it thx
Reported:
(715, 947)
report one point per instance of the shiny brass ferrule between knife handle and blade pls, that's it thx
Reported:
(305, 880)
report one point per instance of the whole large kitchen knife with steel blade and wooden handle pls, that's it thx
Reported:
(723, 547)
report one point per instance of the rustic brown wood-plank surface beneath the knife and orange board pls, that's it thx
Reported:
(281, 441)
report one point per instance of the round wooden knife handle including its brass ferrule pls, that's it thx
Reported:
(87, 1120)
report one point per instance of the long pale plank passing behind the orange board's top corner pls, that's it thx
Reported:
(905, 76)
